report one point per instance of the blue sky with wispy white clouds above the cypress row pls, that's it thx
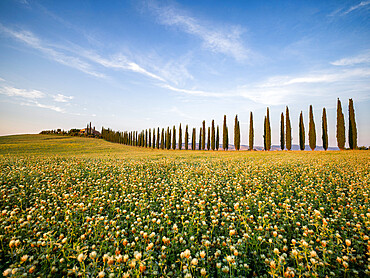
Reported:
(133, 65)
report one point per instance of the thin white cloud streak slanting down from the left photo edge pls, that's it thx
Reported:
(31, 40)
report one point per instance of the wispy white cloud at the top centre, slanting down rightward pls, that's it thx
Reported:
(225, 40)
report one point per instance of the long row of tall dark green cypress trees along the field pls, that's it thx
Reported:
(166, 139)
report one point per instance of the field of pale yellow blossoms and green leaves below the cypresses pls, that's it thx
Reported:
(88, 208)
